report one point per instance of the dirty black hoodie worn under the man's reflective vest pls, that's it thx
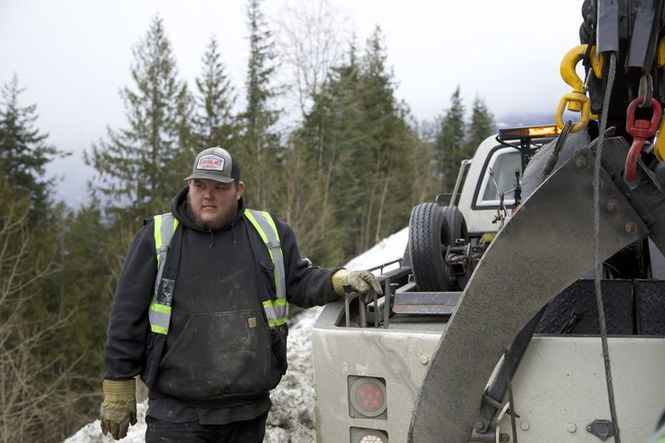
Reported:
(218, 347)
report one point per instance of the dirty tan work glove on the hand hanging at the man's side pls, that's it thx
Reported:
(118, 409)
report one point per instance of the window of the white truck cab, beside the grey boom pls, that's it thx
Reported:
(498, 177)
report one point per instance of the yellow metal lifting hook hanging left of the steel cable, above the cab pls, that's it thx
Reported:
(577, 101)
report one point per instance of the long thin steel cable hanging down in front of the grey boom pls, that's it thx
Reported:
(596, 242)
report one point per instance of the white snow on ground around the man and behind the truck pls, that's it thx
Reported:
(291, 419)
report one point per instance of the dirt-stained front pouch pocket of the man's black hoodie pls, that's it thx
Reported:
(218, 355)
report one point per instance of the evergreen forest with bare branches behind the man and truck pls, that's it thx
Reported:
(344, 174)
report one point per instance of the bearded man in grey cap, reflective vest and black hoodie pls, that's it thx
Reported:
(199, 312)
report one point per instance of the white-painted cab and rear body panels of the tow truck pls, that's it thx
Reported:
(559, 388)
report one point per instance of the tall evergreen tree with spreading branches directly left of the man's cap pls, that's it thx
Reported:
(139, 167)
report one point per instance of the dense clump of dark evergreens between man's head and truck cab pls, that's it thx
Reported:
(364, 147)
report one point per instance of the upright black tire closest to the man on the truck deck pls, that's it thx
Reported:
(429, 235)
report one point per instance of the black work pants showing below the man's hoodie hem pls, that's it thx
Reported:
(250, 431)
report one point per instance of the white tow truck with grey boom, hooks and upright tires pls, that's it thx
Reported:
(530, 306)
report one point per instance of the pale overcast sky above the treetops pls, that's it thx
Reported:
(73, 56)
